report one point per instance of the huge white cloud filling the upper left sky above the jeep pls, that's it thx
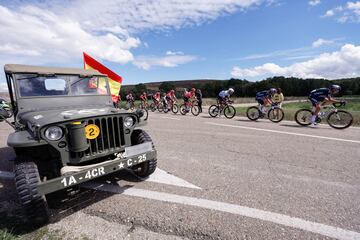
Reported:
(56, 32)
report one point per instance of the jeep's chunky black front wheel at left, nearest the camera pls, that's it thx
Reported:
(35, 206)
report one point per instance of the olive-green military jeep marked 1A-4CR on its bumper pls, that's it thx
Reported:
(66, 132)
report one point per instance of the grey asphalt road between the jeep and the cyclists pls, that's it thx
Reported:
(222, 179)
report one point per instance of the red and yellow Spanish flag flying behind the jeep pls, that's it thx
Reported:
(115, 80)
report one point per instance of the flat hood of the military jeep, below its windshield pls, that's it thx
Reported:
(44, 117)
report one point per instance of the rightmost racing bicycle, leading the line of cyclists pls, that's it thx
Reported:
(338, 119)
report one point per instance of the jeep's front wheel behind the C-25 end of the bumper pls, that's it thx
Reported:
(144, 169)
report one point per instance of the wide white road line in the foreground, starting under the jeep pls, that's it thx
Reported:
(319, 228)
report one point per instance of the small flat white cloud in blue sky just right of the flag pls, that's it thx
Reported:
(171, 59)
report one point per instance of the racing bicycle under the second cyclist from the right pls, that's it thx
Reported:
(274, 113)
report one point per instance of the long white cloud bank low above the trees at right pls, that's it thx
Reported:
(339, 64)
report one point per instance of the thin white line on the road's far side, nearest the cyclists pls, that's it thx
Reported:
(283, 132)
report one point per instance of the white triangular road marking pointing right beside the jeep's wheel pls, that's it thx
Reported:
(161, 176)
